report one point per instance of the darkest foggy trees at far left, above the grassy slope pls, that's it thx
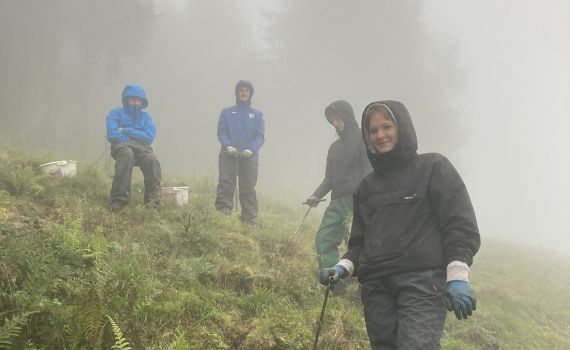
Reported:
(56, 55)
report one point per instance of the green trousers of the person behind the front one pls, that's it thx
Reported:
(333, 230)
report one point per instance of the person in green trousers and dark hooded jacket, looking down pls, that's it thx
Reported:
(347, 164)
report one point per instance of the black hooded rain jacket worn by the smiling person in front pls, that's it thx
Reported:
(413, 212)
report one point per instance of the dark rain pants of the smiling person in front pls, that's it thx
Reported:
(405, 311)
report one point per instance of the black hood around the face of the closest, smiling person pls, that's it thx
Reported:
(407, 145)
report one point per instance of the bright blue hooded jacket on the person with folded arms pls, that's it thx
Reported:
(136, 125)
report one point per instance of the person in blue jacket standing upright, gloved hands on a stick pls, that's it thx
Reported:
(241, 130)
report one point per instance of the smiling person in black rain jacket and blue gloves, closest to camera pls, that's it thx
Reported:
(413, 230)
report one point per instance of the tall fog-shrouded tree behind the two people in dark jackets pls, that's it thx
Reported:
(364, 51)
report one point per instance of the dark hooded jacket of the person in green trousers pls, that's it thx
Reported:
(347, 163)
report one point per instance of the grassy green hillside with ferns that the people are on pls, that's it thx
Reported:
(75, 276)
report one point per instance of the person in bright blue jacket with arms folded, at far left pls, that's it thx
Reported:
(130, 130)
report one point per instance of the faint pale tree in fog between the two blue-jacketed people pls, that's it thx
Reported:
(198, 53)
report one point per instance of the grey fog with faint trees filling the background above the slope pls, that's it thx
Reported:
(487, 84)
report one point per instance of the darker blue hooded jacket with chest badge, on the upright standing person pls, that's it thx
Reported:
(242, 126)
